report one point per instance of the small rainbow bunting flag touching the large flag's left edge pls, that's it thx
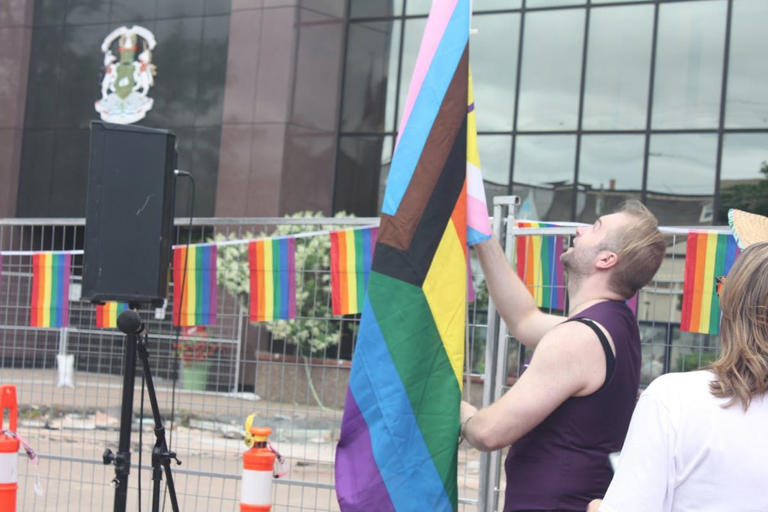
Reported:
(351, 257)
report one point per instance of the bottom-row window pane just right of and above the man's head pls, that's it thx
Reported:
(681, 178)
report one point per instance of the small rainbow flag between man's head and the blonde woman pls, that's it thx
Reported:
(707, 255)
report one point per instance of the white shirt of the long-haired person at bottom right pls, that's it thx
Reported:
(684, 452)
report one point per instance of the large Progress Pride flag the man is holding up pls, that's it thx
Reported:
(397, 450)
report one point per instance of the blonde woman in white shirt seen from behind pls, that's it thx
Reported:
(698, 441)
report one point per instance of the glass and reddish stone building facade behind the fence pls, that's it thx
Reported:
(286, 105)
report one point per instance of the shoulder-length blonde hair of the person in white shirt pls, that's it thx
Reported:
(742, 370)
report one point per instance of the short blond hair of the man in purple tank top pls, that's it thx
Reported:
(640, 249)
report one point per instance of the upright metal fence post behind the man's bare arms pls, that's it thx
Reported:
(495, 361)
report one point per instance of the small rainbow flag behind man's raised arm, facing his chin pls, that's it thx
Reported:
(539, 266)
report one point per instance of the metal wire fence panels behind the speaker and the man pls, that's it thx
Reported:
(69, 380)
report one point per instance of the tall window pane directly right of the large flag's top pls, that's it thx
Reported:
(493, 54)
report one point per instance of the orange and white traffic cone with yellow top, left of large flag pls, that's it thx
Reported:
(258, 472)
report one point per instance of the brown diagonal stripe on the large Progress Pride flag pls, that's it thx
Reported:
(398, 230)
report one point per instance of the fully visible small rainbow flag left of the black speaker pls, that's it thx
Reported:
(49, 306)
